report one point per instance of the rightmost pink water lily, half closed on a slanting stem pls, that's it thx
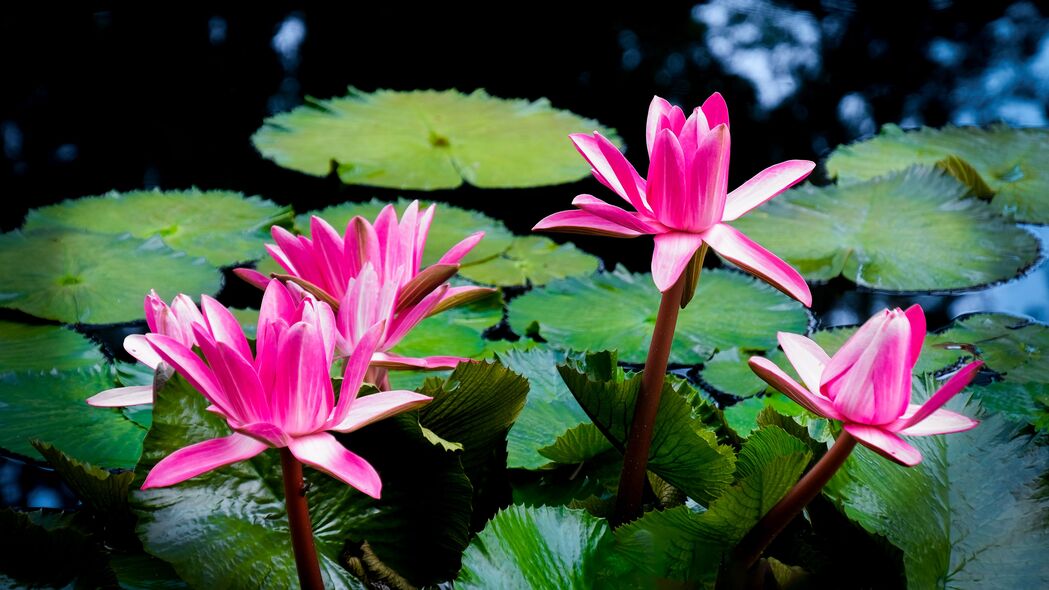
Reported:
(867, 385)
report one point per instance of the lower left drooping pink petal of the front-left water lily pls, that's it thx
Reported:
(191, 461)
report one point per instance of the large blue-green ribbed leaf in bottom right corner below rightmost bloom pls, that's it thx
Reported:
(970, 515)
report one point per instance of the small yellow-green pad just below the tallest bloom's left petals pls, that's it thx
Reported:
(532, 261)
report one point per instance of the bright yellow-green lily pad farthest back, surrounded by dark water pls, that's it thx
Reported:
(429, 140)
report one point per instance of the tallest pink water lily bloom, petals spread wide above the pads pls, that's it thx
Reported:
(686, 201)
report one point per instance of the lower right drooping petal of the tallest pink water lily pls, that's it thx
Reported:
(742, 251)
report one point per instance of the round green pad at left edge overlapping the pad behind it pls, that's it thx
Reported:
(80, 278)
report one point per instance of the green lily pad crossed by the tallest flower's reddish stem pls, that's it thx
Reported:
(617, 311)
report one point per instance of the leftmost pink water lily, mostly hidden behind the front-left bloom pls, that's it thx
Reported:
(177, 322)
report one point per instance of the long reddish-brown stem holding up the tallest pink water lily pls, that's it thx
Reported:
(639, 441)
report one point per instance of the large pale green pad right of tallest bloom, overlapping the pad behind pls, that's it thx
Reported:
(913, 231)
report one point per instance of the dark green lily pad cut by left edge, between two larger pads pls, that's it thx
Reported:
(46, 348)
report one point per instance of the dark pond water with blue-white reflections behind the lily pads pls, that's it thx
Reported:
(126, 100)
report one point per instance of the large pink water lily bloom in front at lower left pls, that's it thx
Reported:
(282, 396)
